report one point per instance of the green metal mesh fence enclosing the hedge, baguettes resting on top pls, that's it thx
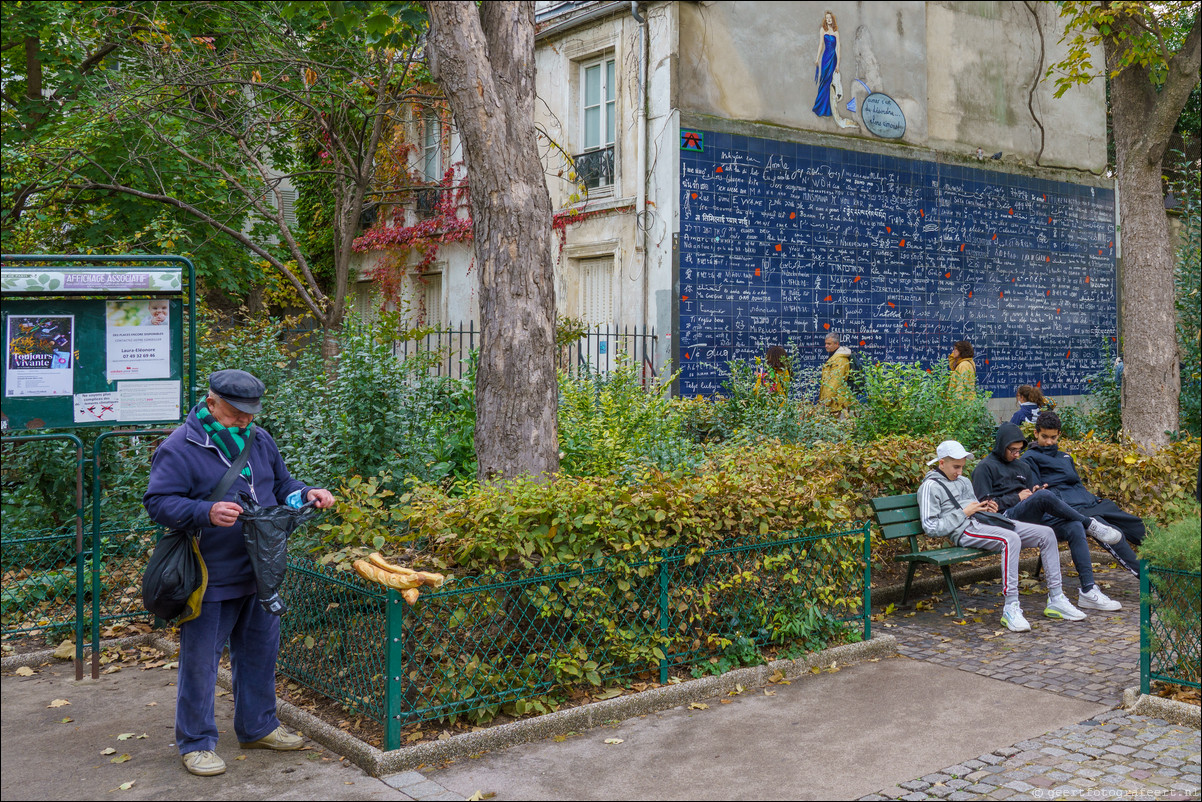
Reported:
(504, 643)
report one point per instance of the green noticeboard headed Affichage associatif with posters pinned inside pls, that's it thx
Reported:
(97, 341)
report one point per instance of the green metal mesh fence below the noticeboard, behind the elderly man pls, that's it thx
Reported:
(50, 586)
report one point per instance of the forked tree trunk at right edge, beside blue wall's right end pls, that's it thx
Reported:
(1144, 120)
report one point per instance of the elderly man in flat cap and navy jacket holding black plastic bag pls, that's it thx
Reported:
(186, 471)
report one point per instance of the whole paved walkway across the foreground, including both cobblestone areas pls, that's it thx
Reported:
(969, 711)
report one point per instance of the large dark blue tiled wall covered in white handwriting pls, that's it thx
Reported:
(782, 243)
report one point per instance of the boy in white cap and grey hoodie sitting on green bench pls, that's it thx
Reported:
(950, 509)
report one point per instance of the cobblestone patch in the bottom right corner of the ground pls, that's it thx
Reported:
(1111, 757)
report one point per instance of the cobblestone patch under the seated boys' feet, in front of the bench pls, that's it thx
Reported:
(1092, 660)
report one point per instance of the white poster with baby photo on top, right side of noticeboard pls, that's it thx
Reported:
(138, 340)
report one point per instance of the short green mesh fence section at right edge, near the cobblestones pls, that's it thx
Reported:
(1170, 626)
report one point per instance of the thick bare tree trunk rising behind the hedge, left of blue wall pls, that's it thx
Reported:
(484, 60)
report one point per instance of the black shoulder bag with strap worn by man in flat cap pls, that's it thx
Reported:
(175, 581)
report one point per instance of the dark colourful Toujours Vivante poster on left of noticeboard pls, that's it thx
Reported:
(39, 355)
